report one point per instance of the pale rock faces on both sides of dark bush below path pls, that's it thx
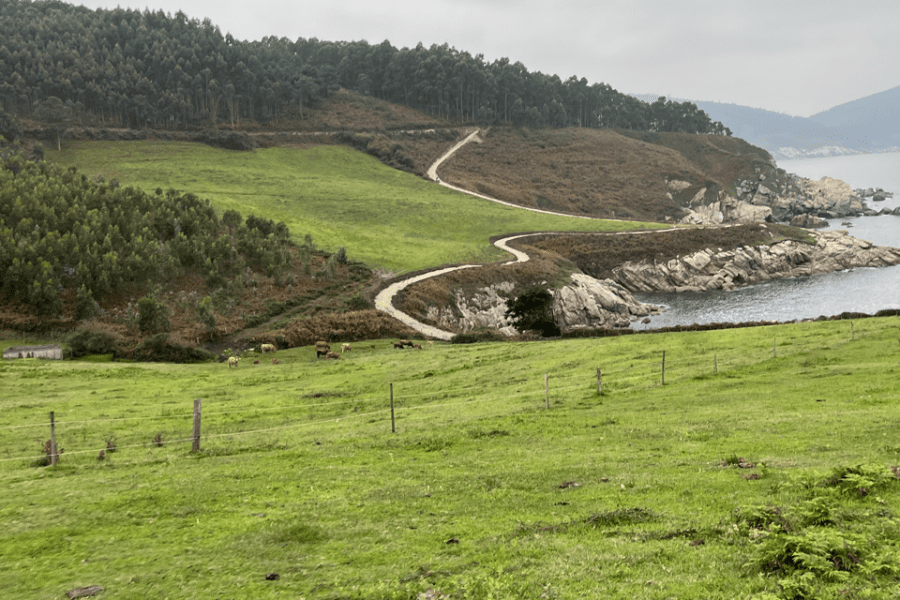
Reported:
(585, 303)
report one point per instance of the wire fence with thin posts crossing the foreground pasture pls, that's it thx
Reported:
(415, 408)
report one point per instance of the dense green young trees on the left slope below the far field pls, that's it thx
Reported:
(60, 230)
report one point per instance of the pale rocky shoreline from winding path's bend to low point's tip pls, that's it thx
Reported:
(590, 303)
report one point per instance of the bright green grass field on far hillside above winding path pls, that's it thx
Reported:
(383, 217)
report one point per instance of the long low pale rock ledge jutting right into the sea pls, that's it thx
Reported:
(712, 270)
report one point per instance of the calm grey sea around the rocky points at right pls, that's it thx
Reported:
(858, 290)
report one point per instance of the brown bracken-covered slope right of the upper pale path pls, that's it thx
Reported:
(601, 172)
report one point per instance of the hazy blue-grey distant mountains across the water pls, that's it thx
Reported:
(867, 125)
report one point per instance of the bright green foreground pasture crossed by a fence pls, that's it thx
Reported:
(482, 492)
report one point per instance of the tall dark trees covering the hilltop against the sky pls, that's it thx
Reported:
(152, 69)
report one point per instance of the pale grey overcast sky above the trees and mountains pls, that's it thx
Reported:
(797, 57)
